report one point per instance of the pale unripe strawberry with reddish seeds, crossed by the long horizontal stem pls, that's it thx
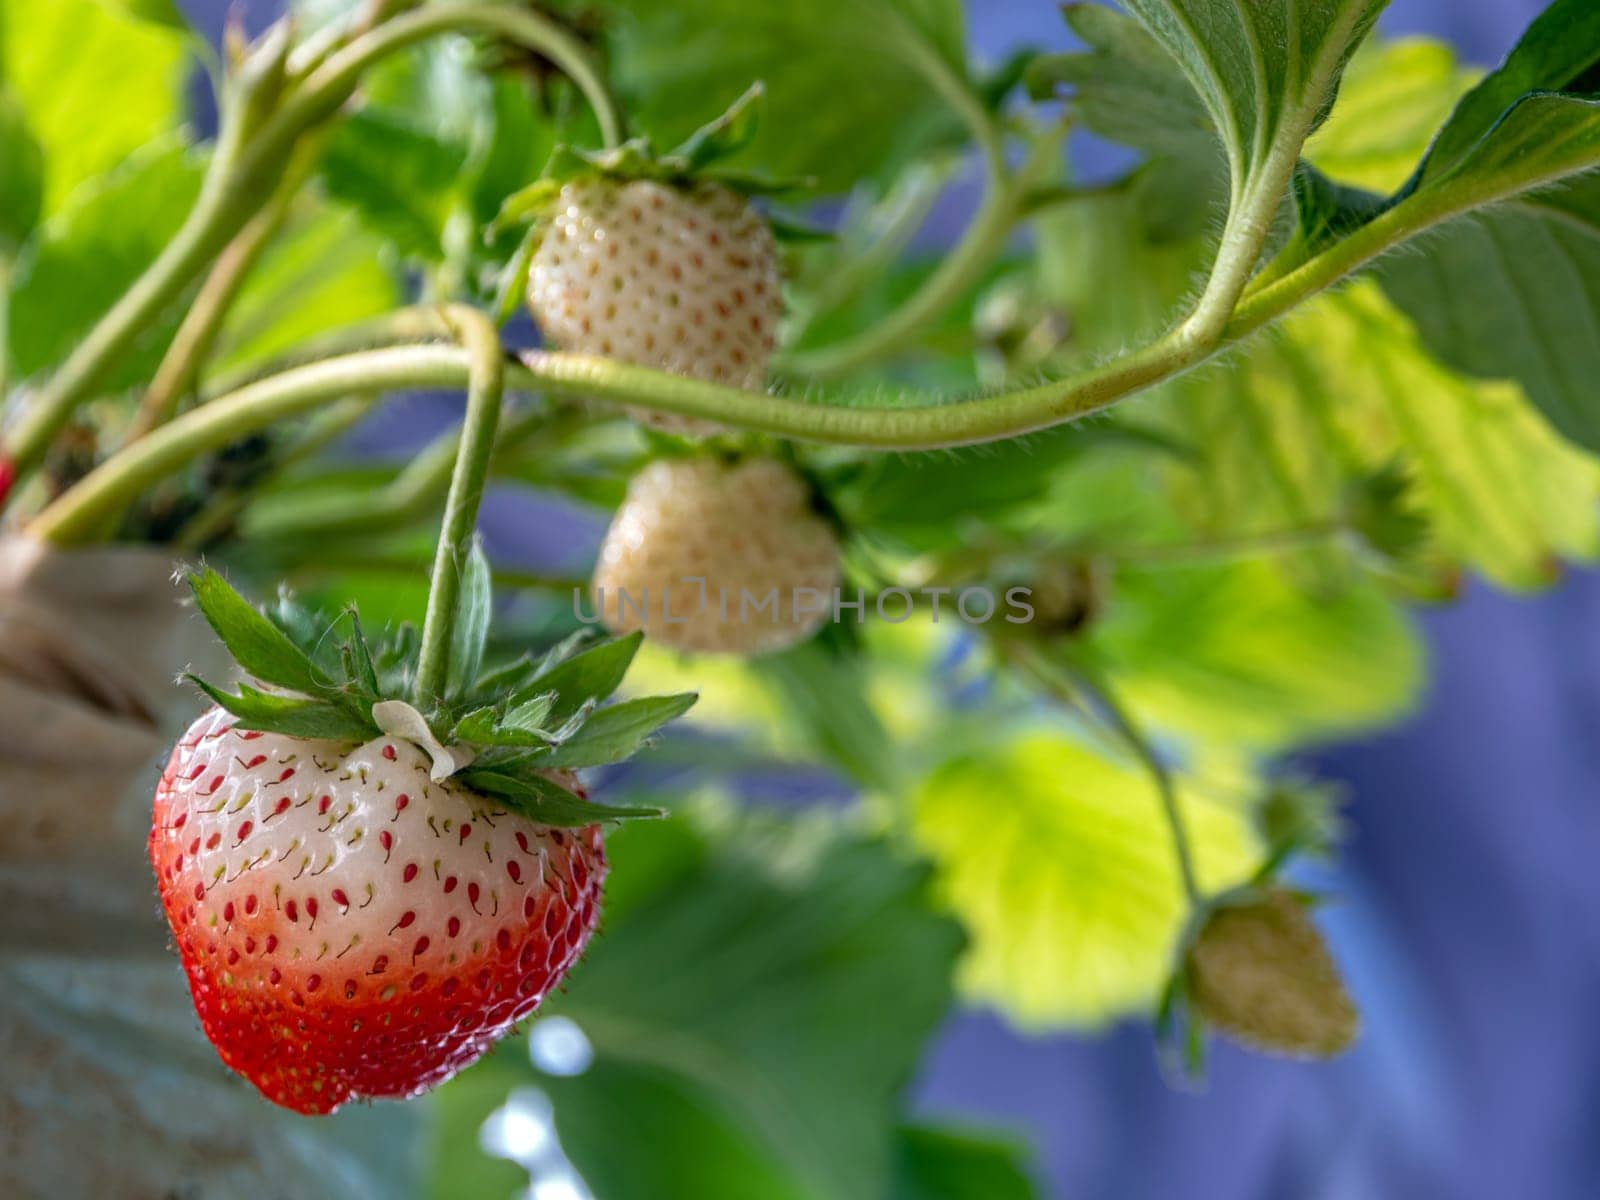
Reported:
(658, 276)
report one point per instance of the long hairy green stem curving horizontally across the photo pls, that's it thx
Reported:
(905, 423)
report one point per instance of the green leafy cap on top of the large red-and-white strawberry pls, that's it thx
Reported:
(503, 732)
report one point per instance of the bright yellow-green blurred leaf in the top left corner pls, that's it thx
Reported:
(94, 84)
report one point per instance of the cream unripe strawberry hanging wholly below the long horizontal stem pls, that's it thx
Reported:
(750, 530)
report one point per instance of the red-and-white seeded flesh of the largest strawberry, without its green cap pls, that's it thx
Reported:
(351, 929)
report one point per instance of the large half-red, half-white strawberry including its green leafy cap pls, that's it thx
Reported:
(367, 897)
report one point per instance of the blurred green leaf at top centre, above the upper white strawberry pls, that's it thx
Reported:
(687, 60)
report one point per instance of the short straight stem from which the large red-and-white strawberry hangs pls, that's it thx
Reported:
(486, 391)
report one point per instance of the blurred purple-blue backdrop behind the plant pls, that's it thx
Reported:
(1468, 916)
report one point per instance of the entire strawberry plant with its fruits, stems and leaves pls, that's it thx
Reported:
(502, 377)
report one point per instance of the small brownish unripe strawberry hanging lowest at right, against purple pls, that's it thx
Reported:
(1262, 974)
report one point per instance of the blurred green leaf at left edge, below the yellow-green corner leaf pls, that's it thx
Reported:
(90, 254)
